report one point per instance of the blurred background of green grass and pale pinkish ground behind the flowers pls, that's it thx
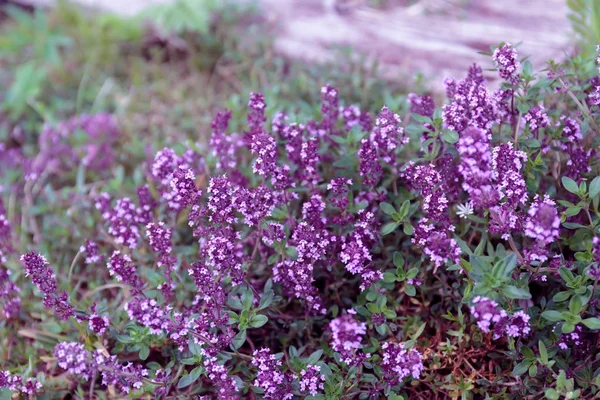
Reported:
(163, 66)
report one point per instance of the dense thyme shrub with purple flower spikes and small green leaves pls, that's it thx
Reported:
(417, 253)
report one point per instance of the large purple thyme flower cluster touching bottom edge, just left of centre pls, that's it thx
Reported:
(275, 384)
